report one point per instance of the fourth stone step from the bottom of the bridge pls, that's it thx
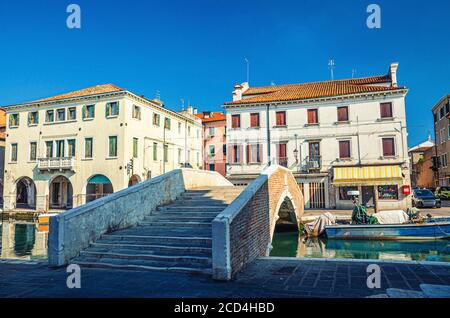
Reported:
(180, 241)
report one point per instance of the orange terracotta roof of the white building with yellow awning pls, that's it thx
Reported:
(310, 90)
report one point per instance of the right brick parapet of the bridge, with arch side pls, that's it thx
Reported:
(243, 231)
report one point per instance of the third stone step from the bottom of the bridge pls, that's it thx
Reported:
(151, 249)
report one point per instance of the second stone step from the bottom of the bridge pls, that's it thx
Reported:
(179, 260)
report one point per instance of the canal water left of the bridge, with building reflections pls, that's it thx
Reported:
(23, 240)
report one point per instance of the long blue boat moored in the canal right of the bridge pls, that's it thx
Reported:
(431, 229)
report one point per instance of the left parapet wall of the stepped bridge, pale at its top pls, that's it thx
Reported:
(74, 230)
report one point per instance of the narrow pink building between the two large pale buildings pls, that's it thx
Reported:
(214, 141)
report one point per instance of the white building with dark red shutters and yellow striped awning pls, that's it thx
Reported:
(335, 136)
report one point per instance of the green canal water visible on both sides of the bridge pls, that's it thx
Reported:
(26, 240)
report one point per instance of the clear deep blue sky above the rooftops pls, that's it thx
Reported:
(195, 49)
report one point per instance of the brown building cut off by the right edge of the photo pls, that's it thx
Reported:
(441, 114)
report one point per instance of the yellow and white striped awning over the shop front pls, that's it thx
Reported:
(368, 175)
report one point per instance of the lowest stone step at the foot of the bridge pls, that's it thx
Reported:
(126, 266)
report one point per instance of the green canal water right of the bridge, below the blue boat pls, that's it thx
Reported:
(290, 244)
